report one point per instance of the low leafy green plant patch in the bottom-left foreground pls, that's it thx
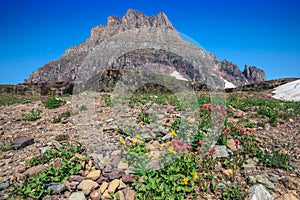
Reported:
(61, 164)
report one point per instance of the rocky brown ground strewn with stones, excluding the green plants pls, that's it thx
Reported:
(105, 175)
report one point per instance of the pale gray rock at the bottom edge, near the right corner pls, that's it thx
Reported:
(259, 192)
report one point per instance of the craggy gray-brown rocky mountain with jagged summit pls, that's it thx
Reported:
(148, 43)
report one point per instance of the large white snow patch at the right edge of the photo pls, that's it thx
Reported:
(289, 91)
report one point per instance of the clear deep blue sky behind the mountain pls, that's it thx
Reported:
(264, 33)
